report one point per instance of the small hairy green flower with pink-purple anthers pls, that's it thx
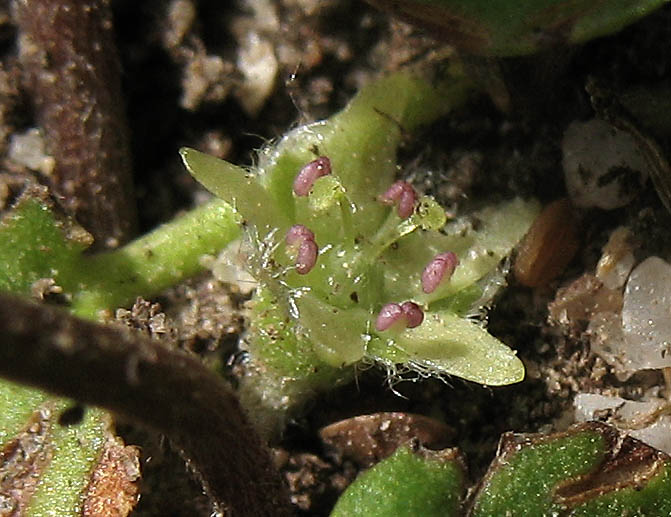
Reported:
(352, 266)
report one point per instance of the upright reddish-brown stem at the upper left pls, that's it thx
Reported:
(71, 70)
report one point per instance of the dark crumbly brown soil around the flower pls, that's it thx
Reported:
(326, 50)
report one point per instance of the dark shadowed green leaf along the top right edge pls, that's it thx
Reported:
(510, 28)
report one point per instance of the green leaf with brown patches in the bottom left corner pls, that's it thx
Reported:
(48, 465)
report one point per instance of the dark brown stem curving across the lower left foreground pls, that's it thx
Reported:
(168, 391)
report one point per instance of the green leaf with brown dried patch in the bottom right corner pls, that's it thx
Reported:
(588, 470)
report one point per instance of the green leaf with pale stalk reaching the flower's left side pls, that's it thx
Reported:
(36, 244)
